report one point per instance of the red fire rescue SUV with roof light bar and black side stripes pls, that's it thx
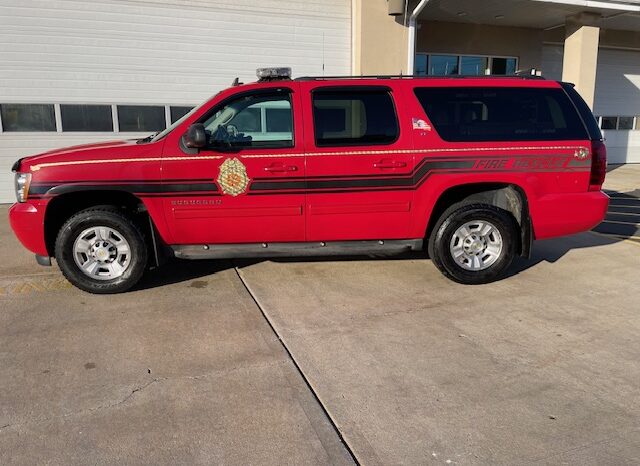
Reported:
(472, 168)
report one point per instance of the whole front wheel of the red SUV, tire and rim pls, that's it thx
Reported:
(101, 250)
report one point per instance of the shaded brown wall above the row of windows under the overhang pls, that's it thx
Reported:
(470, 39)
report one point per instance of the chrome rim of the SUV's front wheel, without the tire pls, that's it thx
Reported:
(102, 253)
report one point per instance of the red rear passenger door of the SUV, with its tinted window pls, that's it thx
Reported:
(359, 162)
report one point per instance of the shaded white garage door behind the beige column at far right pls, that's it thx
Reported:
(617, 98)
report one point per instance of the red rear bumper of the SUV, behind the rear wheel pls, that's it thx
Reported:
(566, 214)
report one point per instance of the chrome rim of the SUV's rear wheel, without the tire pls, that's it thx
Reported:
(476, 245)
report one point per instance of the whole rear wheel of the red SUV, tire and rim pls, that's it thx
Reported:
(474, 243)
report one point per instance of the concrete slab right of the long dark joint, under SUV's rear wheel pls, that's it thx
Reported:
(538, 368)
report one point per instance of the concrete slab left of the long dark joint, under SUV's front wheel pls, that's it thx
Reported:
(183, 371)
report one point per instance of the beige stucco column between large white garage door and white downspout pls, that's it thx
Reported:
(379, 40)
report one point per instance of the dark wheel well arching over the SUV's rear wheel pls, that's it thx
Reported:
(508, 197)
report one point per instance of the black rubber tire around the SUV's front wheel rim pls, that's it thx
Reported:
(113, 218)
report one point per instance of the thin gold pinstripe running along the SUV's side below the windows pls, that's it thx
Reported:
(302, 154)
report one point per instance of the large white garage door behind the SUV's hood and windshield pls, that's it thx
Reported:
(163, 54)
